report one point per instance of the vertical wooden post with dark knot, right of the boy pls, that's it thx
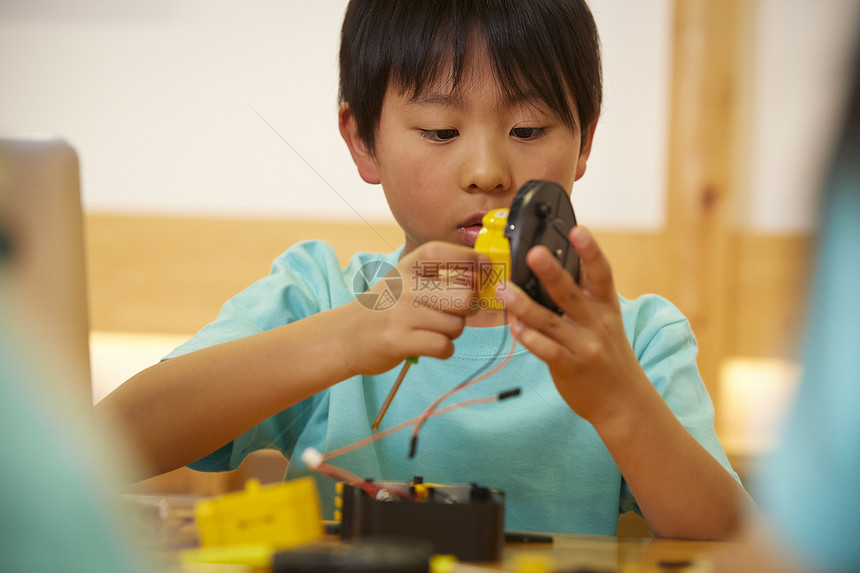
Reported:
(702, 172)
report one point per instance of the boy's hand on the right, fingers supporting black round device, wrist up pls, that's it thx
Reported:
(586, 349)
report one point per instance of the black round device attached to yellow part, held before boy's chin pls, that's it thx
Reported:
(541, 214)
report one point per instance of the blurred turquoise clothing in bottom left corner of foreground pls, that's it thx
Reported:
(58, 506)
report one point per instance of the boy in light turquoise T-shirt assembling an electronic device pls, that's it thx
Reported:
(451, 106)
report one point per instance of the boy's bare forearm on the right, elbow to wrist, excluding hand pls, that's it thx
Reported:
(682, 490)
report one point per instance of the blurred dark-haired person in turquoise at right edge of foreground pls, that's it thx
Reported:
(808, 488)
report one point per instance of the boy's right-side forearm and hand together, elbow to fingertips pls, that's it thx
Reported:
(682, 490)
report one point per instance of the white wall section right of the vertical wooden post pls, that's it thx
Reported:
(802, 69)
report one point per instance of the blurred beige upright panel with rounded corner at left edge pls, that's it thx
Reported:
(40, 206)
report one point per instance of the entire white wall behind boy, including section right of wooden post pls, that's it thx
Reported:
(168, 103)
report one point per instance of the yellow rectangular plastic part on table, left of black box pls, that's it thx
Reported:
(281, 516)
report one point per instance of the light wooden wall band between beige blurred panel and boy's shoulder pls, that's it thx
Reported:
(172, 274)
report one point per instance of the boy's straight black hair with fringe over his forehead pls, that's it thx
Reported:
(541, 51)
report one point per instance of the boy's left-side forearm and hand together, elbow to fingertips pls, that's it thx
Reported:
(187, 407)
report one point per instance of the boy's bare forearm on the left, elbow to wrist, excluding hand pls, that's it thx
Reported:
(179, 410)
